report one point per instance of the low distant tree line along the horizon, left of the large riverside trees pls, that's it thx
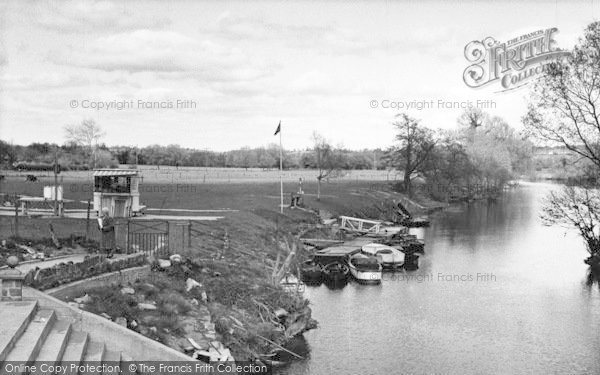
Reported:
(81, 156)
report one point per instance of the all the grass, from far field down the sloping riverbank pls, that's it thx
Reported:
(243, 291)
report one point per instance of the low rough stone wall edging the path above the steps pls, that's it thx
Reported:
(93, 265)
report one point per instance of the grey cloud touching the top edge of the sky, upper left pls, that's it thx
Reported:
(92, 16)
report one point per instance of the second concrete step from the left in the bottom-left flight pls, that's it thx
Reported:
(29, 344)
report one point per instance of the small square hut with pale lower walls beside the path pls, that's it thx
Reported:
(117, 189)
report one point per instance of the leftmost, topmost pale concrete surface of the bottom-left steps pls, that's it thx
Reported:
(14, 318)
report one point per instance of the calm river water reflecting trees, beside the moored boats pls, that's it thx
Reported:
(496, 292)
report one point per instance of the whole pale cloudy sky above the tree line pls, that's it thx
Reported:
(220, 75)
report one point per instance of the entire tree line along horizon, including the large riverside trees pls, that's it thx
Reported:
(480, 150)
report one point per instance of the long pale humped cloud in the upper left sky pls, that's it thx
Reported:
(167, 52)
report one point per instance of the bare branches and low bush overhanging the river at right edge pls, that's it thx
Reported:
(565, 109)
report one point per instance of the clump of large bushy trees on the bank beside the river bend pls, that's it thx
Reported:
(481, 150)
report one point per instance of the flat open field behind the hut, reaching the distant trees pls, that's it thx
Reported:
(200, 188)
